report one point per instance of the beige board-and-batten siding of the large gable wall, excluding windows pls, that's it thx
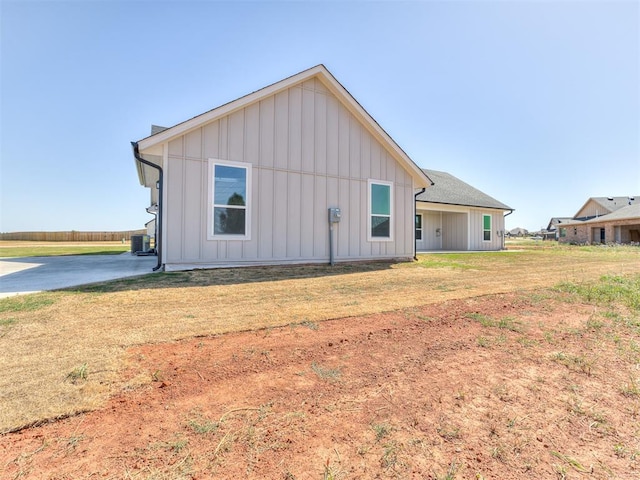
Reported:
(307, 153)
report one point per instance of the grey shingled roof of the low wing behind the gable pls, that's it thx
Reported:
(450, 190)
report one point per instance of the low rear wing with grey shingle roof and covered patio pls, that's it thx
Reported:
(453, 215)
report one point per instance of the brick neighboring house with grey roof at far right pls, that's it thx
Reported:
(604, 220)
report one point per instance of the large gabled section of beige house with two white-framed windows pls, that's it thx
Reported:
(252, 182)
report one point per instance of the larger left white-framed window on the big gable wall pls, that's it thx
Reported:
(230, 200)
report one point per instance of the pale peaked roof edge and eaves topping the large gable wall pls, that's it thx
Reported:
(329, 81)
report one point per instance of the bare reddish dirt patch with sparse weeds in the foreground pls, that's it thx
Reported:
(506, 386)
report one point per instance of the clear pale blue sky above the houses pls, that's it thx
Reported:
(536, 103)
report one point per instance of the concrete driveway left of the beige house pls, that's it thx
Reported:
(35, 274)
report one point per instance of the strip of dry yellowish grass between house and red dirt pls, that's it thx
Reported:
(90, 328)
